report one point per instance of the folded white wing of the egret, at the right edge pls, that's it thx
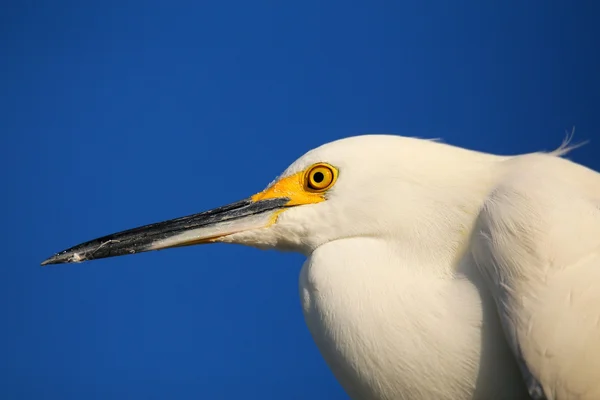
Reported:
(537, 243)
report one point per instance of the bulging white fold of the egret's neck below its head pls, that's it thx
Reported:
(379, 318)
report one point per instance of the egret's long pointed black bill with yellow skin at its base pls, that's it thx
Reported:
(258, 211)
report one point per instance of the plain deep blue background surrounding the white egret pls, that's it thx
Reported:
(118, 114)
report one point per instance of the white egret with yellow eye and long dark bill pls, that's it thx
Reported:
(432, 271)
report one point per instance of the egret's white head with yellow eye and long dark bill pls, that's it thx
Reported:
(380, 186)
